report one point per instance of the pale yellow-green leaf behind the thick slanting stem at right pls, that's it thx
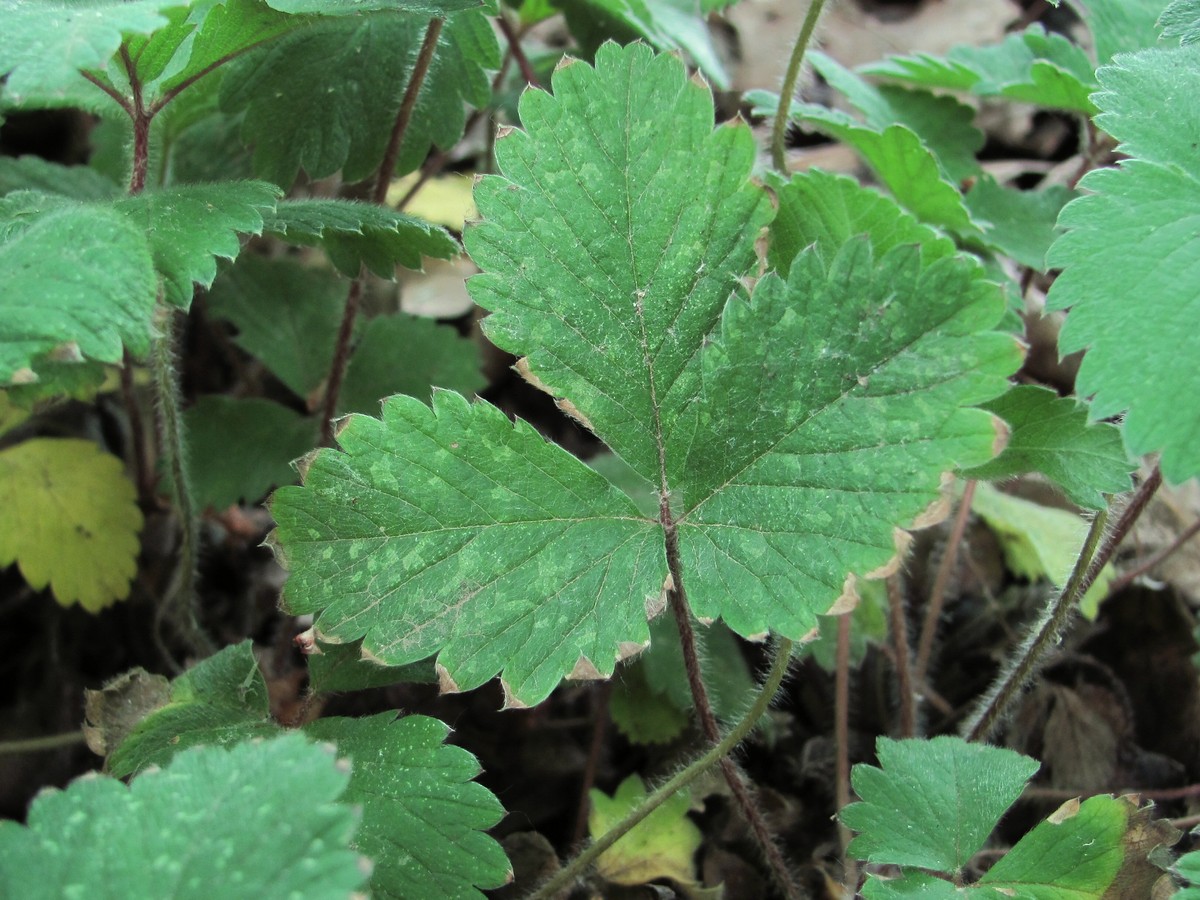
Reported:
(1040, 542)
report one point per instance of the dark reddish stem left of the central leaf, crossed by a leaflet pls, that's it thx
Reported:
(380, 196)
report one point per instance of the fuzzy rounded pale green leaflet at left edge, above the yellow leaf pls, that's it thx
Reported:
(77, 281)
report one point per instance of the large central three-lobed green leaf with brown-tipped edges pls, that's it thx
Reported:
(793, 433)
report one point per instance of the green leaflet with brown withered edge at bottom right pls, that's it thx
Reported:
(1073, 856)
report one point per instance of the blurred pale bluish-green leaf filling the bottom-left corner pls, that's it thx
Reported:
(247, 835)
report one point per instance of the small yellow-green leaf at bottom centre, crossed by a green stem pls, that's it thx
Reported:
(661, 847)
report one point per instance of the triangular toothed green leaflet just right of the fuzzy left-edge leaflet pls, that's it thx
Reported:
(190, 226)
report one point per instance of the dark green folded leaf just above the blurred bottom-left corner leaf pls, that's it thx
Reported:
(220, 701)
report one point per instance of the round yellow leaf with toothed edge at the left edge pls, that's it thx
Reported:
(70, 520)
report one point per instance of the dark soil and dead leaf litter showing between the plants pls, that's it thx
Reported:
(1117, 710)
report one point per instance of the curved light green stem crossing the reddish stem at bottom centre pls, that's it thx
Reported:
(717, 753)
